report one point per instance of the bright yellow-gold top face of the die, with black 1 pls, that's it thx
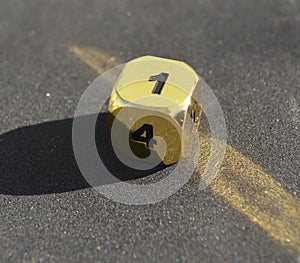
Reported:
(157, 83)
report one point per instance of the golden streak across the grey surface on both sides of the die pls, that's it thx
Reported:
(243, 184)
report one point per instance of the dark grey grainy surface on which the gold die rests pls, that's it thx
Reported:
(247, 51)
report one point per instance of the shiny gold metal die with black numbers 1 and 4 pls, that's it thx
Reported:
(162, 90)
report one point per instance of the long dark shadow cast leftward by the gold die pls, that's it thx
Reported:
(39, 159)
